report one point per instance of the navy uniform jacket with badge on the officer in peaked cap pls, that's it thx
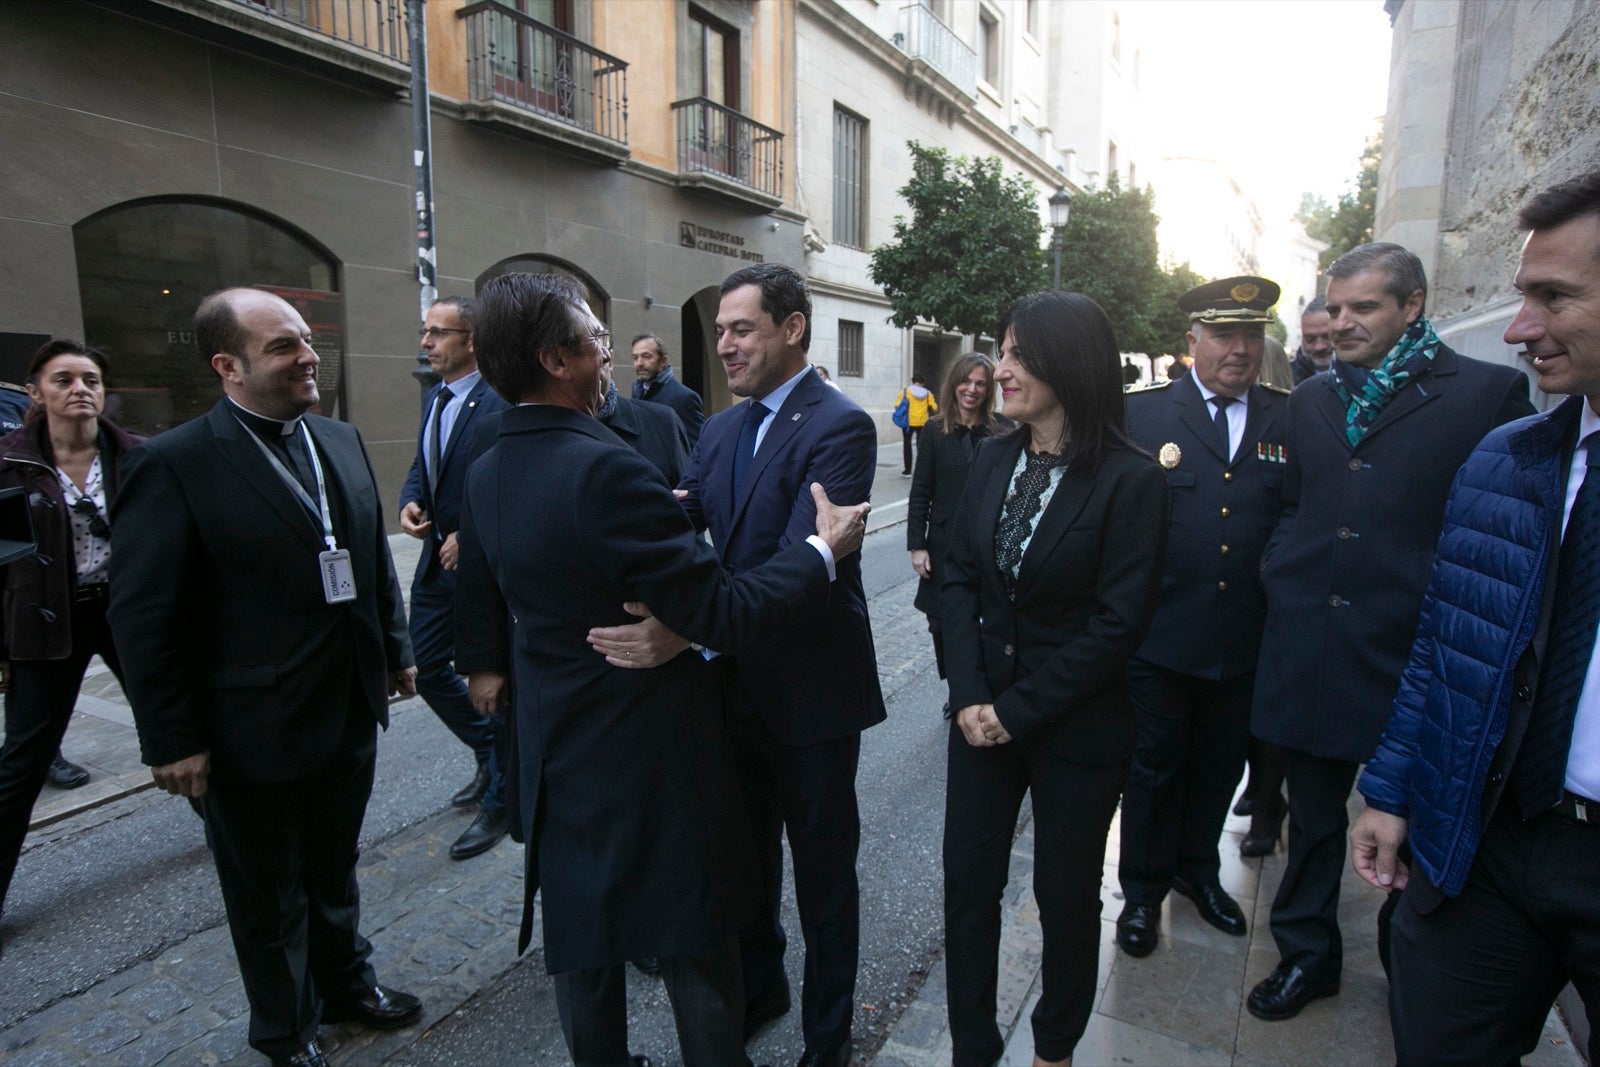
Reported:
(1220, 516)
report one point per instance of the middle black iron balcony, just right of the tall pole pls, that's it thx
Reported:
(535, 79)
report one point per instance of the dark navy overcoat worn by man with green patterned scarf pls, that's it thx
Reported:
(1351, 556)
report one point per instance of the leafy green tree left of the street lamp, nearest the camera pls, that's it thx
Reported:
(969, 250)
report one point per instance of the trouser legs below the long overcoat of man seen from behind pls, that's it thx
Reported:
(708, 1007)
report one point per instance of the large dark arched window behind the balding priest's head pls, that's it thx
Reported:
(143, 270)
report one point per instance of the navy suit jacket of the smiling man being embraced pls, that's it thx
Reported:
(815, 679)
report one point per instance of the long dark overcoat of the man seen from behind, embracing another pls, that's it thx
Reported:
(630, 802)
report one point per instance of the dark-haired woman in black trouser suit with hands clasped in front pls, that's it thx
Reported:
(1050, 585)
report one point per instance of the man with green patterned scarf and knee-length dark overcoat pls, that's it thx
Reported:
(1374, 449)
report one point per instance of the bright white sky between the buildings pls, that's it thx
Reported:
(1284, 90)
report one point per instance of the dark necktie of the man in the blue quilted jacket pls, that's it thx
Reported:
(1542, 761)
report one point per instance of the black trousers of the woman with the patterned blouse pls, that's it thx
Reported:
(1073, 810)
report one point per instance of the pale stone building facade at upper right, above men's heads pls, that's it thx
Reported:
(1489, 103)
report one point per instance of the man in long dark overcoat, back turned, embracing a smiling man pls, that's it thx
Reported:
(631, 810)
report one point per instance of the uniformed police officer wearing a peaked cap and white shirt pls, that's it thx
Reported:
(1222, 438)
